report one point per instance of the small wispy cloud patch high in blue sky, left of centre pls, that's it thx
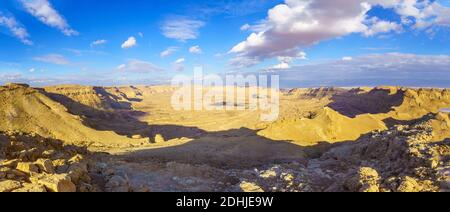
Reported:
(181, 28)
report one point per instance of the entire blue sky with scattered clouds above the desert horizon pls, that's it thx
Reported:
(307, 42)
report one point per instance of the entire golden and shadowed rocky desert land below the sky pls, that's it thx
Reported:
(129, 139)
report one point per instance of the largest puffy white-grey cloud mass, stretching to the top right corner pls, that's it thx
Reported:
(295, 25)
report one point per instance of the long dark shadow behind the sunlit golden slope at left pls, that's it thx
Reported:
(122, 121)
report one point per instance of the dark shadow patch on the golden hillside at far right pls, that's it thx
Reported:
(354, 103)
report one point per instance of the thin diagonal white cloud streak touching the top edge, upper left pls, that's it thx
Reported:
(43, 10)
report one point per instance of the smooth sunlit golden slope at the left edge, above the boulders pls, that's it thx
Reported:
(34, 111)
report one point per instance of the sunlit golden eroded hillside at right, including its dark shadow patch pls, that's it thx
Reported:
(349, 114)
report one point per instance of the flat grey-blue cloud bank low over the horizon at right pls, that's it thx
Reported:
(372, 70)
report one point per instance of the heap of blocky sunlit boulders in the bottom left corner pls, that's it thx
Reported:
(30, 163)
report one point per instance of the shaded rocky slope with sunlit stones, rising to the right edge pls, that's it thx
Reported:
(401, 159)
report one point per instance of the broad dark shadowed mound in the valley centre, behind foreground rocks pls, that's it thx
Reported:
(231, 149)
